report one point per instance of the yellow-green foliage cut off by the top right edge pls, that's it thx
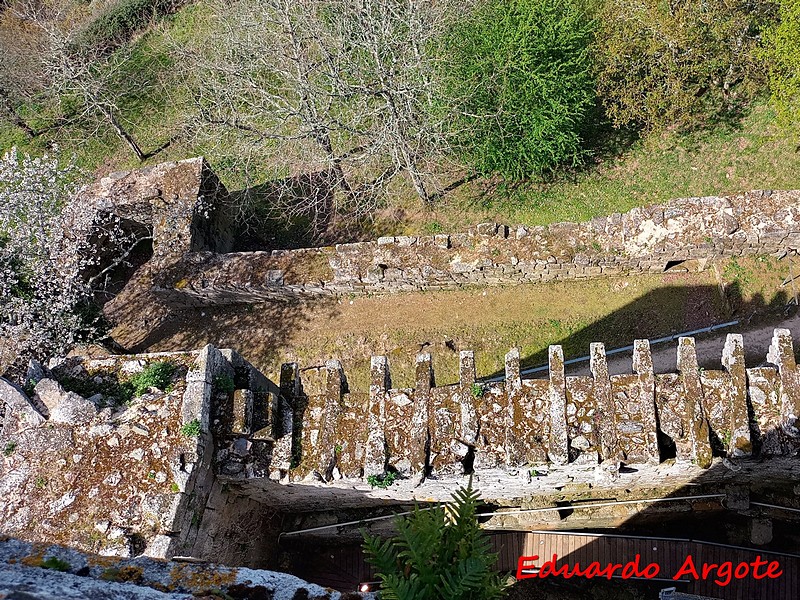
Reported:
(782, 52)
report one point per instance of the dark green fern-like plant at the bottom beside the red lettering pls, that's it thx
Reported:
(437, 553)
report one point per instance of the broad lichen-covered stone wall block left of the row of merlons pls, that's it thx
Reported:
(122, 479)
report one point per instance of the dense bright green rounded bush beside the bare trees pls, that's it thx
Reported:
(520, 81)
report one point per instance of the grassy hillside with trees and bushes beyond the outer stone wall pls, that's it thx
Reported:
(348, 119)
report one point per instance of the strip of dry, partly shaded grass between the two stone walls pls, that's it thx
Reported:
(487, 320)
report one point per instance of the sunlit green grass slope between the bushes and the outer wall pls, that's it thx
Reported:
(758, 154)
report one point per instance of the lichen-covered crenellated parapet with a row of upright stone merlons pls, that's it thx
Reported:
(597, 419)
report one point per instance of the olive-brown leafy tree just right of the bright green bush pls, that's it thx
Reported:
(680, 63)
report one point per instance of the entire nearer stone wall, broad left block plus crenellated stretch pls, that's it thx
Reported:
(128, 479)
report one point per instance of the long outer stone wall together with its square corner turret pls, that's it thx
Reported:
(187, 210)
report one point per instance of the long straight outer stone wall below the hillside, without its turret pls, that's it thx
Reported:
(643, 240)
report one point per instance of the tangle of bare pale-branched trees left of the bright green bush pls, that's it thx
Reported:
(340, 92)
